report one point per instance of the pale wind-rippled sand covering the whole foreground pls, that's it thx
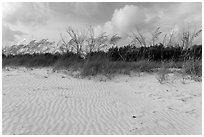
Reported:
(39, 101)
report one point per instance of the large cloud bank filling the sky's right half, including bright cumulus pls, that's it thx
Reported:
(147, 19)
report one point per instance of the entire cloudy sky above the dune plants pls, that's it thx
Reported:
(28, 21)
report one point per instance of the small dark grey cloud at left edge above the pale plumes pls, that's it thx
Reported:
(9, 35)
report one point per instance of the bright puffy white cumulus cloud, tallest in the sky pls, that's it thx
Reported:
(129, 18)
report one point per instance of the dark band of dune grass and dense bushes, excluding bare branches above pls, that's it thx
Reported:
(121, 60)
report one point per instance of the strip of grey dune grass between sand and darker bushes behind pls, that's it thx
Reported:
(103, 66)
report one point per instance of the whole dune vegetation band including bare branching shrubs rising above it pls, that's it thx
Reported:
(137, 56)
